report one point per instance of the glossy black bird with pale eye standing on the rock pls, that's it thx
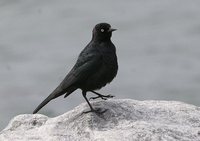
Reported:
(96, 66)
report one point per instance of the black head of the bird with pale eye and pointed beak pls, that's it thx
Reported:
(102, 32)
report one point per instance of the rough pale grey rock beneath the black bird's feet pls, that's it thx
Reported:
(125, 120)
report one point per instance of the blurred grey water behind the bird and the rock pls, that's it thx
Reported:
(157, 44)
